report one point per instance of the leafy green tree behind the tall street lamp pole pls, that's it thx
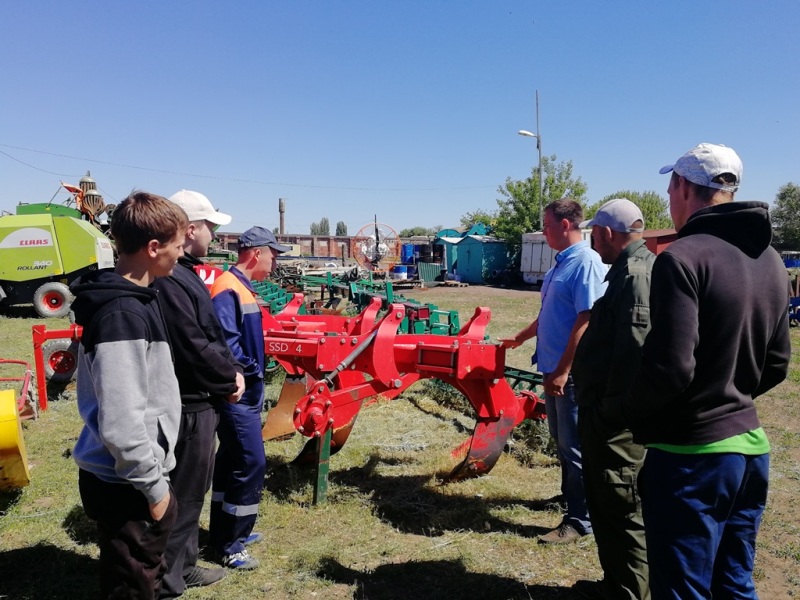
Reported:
(518, 209)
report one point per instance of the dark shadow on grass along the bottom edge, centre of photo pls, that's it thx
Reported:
(433, 580)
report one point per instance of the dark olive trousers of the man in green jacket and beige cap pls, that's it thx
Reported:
(611, 469)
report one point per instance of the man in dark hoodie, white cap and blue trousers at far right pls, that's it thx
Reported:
(719, 338)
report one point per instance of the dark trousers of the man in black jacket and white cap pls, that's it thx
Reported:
(191, 479)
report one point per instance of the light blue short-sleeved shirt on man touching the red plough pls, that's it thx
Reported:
(570, 287)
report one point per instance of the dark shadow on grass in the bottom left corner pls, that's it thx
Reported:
(45, 571)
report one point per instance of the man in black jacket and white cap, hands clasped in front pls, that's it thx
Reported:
(207, 374)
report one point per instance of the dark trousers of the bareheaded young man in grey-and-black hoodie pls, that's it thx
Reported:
(131, 544)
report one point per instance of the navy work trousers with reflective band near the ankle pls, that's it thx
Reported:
(238, 473)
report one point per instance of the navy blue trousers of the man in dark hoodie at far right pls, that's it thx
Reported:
(701, 517)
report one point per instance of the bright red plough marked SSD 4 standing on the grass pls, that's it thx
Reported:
(336, 363)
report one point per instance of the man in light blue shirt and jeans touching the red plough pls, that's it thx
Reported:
(569, 290)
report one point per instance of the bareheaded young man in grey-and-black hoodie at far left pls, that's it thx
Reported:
(128, 398)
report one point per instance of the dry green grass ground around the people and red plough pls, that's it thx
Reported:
(389, 530)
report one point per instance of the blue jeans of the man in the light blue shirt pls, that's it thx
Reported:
(562, 421)
